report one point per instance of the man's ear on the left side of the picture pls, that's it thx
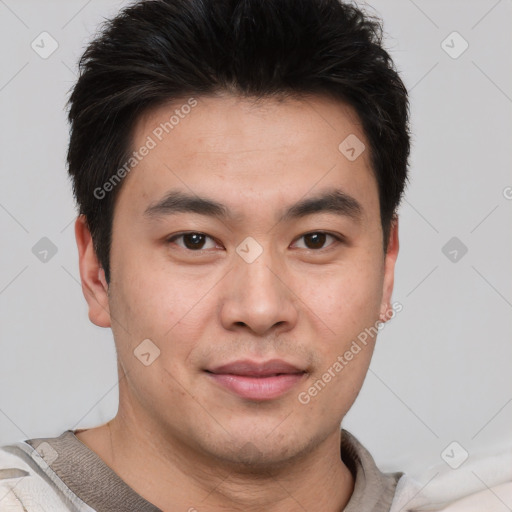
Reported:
(94, 285)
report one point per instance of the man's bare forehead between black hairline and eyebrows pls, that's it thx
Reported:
(249, 152)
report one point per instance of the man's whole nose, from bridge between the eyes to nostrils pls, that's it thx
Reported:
(256, 295)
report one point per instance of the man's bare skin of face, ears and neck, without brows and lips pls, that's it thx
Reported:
(179, 439)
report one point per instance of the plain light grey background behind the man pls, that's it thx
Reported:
(441, 370)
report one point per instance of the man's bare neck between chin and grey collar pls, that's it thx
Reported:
(172, 476)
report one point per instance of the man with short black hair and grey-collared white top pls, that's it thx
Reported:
(237, 166)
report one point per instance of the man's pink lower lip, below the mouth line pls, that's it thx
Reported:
(258, 388)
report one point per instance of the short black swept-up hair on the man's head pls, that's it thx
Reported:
(154, 51)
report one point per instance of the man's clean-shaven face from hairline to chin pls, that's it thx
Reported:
(253, 285)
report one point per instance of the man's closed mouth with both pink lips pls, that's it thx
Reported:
(257, 381)
